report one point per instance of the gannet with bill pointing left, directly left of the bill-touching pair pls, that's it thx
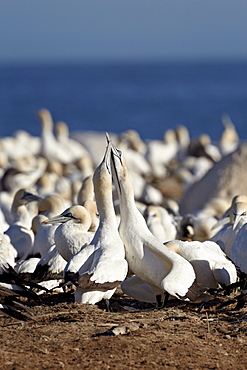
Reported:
(72, 232)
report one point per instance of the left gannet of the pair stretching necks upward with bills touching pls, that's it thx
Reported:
(104, 266)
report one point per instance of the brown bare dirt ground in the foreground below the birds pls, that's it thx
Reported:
(66, 335)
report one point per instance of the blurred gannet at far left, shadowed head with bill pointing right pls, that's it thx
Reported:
(19, 232)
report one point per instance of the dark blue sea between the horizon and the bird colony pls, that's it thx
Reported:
(148, 97)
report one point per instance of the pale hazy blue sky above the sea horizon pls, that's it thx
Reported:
(67, 30)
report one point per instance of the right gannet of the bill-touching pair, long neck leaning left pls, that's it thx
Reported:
(153, 263)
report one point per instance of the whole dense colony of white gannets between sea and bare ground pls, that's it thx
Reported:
(95, 213)
